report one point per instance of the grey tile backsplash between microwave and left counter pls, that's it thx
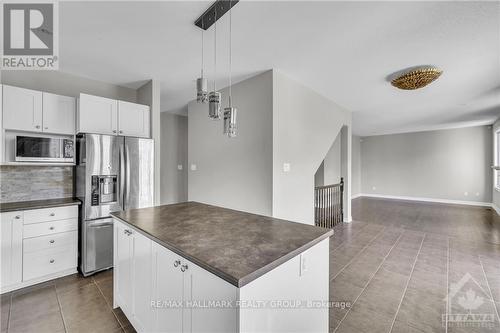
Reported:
(24, 183)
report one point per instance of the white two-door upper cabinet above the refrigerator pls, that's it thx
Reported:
(101, 115)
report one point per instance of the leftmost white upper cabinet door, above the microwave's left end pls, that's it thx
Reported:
(22, 109)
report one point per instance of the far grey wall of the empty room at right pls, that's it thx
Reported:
(440, 164)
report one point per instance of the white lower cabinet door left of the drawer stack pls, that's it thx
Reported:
(11, 229)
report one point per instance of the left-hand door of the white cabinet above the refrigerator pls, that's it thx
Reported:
(97, 115)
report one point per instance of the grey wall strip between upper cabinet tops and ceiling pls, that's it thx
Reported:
(61, 83)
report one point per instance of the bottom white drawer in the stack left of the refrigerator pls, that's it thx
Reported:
(50, 261)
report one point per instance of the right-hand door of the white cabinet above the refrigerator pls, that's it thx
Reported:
(133, 119)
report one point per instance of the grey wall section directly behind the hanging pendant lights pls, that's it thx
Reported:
(237, 172)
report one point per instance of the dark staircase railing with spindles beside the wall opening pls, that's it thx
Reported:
(328, 204)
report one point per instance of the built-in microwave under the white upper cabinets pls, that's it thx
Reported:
(44, 149)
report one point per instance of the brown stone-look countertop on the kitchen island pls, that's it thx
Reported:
(236, 246)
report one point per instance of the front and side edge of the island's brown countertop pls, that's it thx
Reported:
(238, 283)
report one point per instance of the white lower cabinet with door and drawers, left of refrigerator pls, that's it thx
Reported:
(37, 245)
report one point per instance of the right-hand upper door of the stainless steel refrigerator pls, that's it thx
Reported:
(139, 173)
